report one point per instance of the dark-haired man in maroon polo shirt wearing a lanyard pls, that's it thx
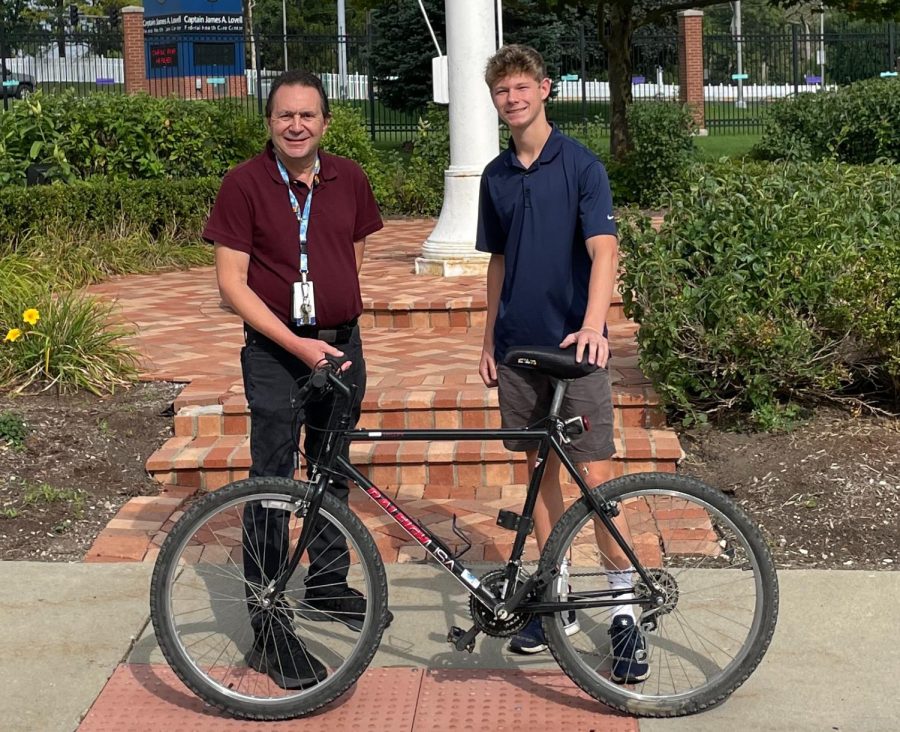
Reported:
(289, 228)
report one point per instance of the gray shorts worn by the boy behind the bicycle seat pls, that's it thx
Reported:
(525, 397)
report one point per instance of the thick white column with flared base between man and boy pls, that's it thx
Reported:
(474, 141)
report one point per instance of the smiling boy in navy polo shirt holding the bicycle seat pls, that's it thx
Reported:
(546, 218)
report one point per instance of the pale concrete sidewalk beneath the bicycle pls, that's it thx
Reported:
(833, 664)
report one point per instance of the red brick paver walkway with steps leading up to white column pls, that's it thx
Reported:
(423, 340)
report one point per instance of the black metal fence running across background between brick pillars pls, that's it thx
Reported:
(742, 75)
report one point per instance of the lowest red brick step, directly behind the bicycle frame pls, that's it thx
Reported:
(210, 462)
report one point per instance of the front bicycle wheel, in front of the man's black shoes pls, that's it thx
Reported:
(202, 597)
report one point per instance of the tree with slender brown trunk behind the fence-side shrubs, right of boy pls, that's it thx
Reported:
(617, 21)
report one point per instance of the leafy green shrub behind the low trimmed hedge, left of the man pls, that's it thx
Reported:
(124, 136)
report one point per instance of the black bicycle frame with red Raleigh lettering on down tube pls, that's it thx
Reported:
(548, 437)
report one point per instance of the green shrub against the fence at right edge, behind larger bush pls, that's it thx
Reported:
(853, 124)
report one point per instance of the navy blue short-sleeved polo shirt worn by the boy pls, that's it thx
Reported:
(539, 219)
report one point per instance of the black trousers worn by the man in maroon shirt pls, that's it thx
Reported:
(270, 379)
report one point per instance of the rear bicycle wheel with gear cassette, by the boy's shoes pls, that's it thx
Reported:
(720, 587)
